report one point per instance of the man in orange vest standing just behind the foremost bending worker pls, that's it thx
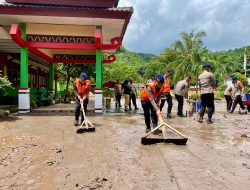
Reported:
(166, 94)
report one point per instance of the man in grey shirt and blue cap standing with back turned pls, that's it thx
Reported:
(207, 83)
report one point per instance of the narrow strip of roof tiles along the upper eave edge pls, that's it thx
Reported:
(128, 9)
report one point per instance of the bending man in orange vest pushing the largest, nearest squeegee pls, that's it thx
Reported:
(150, 100)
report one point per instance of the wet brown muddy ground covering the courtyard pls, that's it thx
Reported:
(44, 152)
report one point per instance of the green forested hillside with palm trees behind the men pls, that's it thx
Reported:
(185, 57)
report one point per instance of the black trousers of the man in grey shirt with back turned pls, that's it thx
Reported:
(207, 101)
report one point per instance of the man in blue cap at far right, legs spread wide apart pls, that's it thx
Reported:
(237, 91)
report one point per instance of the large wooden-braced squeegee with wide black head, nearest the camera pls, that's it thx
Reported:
(178, 141)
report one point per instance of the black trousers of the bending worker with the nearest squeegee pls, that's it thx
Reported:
(147, 108)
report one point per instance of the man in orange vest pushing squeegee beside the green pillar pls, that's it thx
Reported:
(82, 87)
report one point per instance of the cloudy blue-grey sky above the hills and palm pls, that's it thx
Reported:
(156, 24)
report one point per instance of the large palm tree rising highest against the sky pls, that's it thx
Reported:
(188, 55)
